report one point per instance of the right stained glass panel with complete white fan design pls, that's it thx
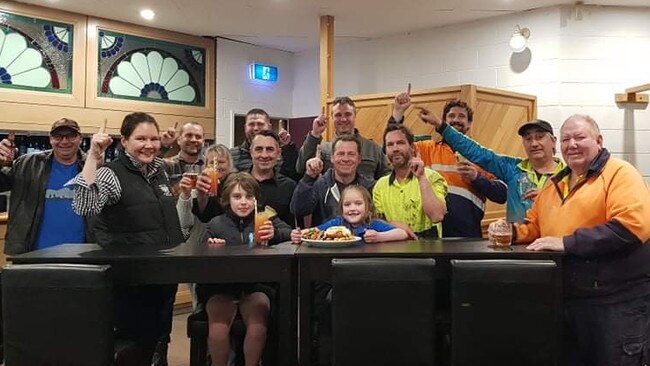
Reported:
(132, 67)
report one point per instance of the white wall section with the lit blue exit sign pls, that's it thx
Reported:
(237, 93)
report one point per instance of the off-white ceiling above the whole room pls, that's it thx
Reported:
(293, 25)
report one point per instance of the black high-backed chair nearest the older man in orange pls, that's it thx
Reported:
(505, 312)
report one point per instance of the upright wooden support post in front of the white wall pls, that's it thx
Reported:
(326, 64)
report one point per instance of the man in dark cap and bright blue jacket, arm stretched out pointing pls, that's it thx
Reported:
(524, 177)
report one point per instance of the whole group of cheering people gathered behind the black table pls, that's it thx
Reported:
(594, 207)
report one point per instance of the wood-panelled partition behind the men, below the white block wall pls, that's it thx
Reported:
(497, 117)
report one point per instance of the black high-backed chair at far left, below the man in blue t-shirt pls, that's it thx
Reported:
(60, 314)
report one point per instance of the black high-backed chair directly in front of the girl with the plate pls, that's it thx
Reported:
(383, 311)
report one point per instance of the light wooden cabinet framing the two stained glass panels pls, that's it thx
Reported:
(31, 108)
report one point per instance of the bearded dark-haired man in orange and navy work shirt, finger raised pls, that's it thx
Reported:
(469, 186)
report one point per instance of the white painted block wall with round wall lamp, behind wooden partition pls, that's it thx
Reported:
(572, 66)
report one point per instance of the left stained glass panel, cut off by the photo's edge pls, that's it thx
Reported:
(35, 54)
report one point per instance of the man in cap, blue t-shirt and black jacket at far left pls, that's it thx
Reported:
(40, 211)
